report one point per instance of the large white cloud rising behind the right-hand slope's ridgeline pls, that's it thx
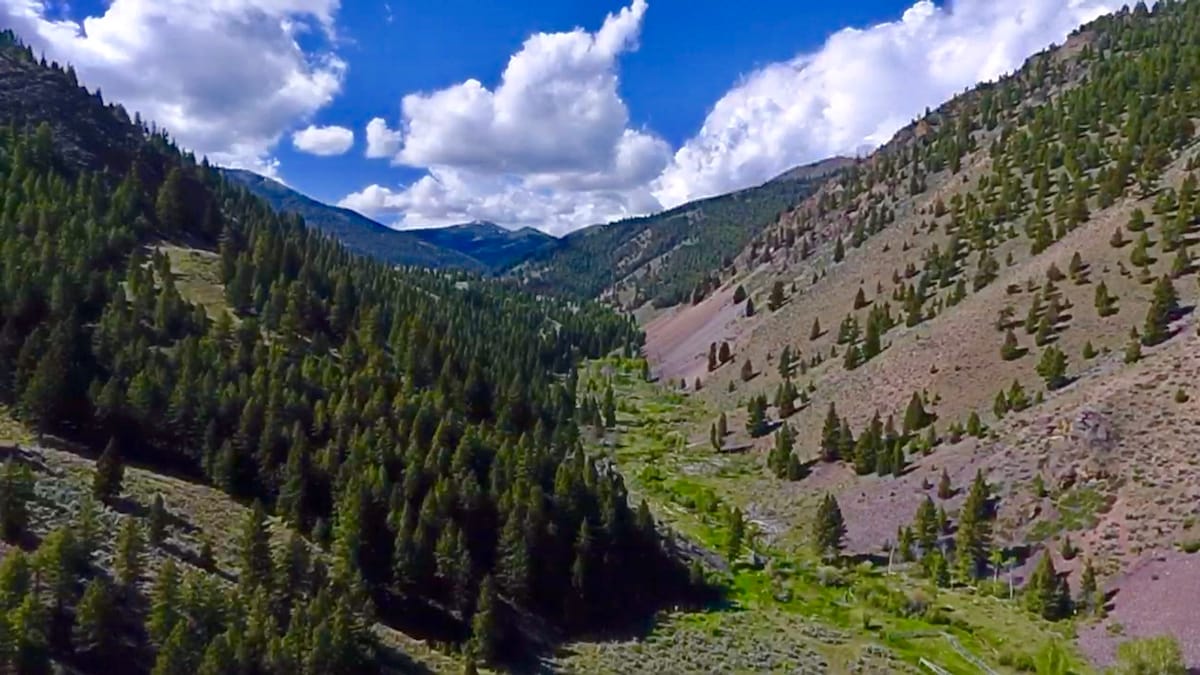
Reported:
(862, 87)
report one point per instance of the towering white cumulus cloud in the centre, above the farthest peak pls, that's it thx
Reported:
(550, 146)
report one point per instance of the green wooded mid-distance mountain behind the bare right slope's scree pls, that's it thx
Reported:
(669, 258)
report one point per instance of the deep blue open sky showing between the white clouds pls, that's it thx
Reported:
(689, 55)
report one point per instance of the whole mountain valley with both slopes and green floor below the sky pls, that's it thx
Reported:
(929, 410)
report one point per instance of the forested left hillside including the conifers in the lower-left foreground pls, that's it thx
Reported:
(419, 429)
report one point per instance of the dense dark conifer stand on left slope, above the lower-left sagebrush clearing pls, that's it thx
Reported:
(424, 426)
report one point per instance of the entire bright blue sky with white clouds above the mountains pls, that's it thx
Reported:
(548, 114)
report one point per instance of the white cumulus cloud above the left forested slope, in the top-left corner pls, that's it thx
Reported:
(229, 79)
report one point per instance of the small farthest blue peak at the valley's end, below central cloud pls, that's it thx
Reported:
(495, 247)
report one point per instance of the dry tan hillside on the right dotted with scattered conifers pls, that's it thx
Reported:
(1054, 212)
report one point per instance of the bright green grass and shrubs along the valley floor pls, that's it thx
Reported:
(835, 618)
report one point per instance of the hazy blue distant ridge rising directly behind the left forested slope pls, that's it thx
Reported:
(357, 232)
